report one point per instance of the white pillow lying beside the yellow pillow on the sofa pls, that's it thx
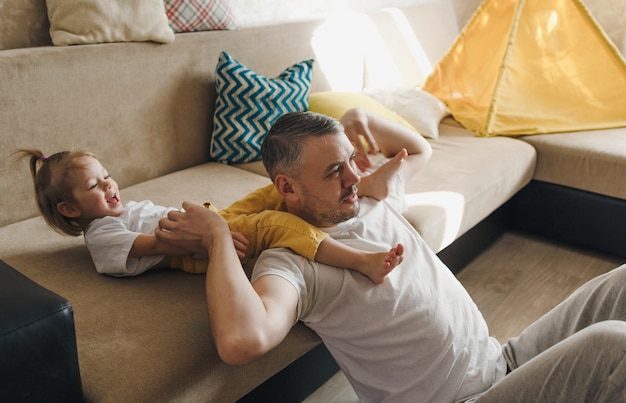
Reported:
(421, 109)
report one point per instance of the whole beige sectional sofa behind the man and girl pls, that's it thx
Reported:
(146, 111)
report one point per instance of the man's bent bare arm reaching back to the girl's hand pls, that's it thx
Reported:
(246, 320)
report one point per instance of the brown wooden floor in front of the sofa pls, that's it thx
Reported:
(515, 281)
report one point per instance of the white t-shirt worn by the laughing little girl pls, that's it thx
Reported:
(109, 239)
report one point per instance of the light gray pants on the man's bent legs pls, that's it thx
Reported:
(574, 353)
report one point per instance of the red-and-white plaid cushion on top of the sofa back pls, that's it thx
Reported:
(199, 15)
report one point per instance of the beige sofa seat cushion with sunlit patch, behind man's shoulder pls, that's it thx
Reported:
(466, 179)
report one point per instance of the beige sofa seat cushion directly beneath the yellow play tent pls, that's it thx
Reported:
(594, 161)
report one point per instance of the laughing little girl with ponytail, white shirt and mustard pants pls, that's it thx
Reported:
(76, 195)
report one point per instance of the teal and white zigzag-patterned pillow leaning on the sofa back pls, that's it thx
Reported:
(248, 104)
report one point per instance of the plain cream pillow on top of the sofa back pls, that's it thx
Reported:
(96, 21)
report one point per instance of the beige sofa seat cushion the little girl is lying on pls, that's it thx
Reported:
(147, 338)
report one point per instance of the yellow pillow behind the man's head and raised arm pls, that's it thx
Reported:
(336, 103)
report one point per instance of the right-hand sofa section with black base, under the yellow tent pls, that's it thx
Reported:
(577, 193)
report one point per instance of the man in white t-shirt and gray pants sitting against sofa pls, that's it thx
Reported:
(416, 337)
